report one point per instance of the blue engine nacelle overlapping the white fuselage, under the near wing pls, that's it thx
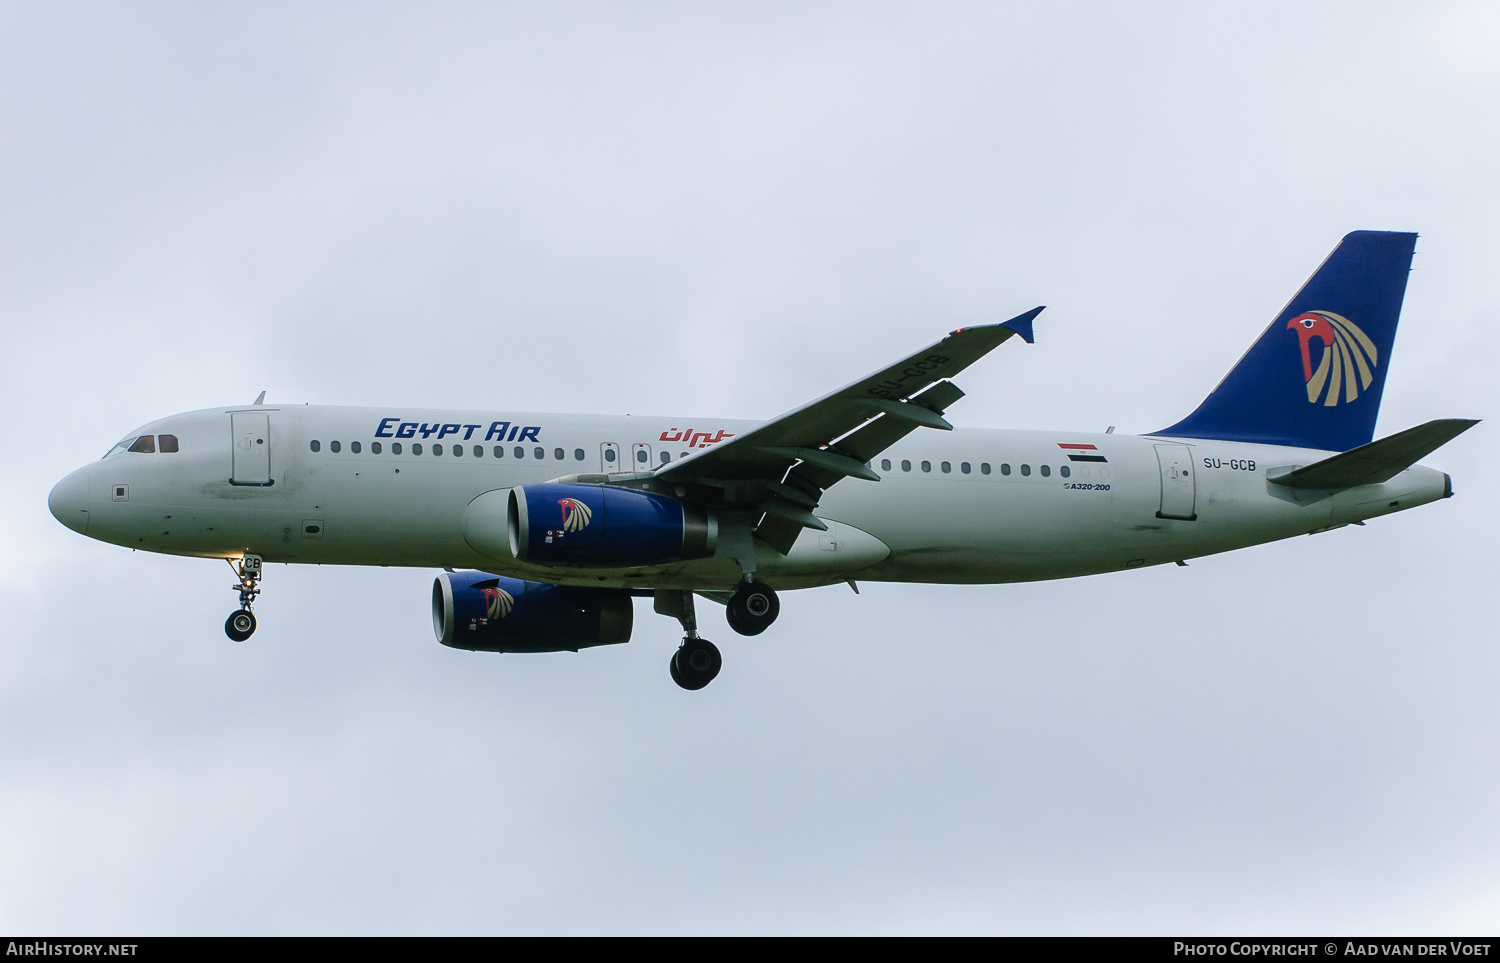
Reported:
(596, 526)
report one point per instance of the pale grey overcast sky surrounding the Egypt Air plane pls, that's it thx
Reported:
(728, 211)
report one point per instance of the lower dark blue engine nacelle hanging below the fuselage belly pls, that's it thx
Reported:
(493, 614)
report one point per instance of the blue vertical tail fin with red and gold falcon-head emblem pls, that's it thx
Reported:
(1316, 376)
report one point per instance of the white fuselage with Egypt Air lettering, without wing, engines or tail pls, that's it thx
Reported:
(962, 506)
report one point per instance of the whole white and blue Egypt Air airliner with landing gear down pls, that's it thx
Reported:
(559, 520)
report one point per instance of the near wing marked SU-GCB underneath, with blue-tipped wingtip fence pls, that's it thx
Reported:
(782, 467)
